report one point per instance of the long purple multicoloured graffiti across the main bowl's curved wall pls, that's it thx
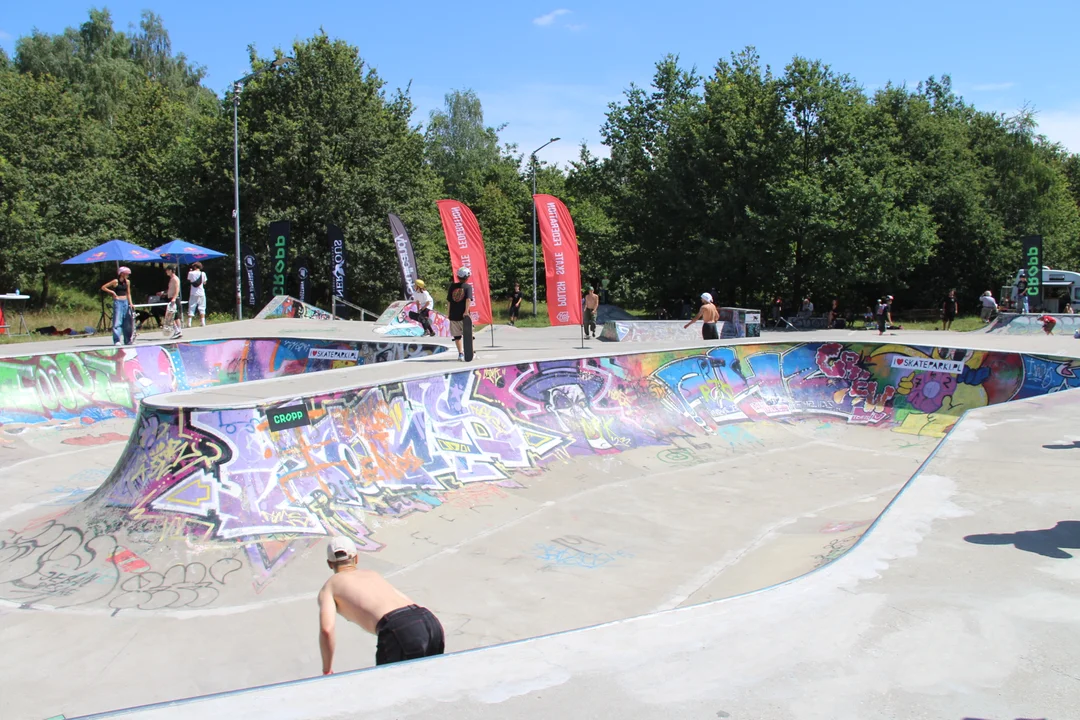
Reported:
(376, 455)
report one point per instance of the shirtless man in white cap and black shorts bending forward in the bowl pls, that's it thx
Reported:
(406, 630)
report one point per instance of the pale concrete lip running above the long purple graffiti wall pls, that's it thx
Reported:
(166, 402)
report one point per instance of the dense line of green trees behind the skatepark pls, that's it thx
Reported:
(745, 182)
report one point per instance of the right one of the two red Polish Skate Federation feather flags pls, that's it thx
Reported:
(561, 262)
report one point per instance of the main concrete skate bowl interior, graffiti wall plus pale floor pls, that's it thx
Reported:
(516, 501)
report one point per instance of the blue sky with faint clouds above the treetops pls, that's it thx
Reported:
(550, 69)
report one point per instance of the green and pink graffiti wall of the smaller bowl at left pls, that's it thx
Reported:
(98, 385)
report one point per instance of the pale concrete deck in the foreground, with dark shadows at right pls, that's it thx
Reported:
(960, 603)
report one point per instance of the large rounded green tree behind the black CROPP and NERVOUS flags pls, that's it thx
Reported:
(321, 143)
